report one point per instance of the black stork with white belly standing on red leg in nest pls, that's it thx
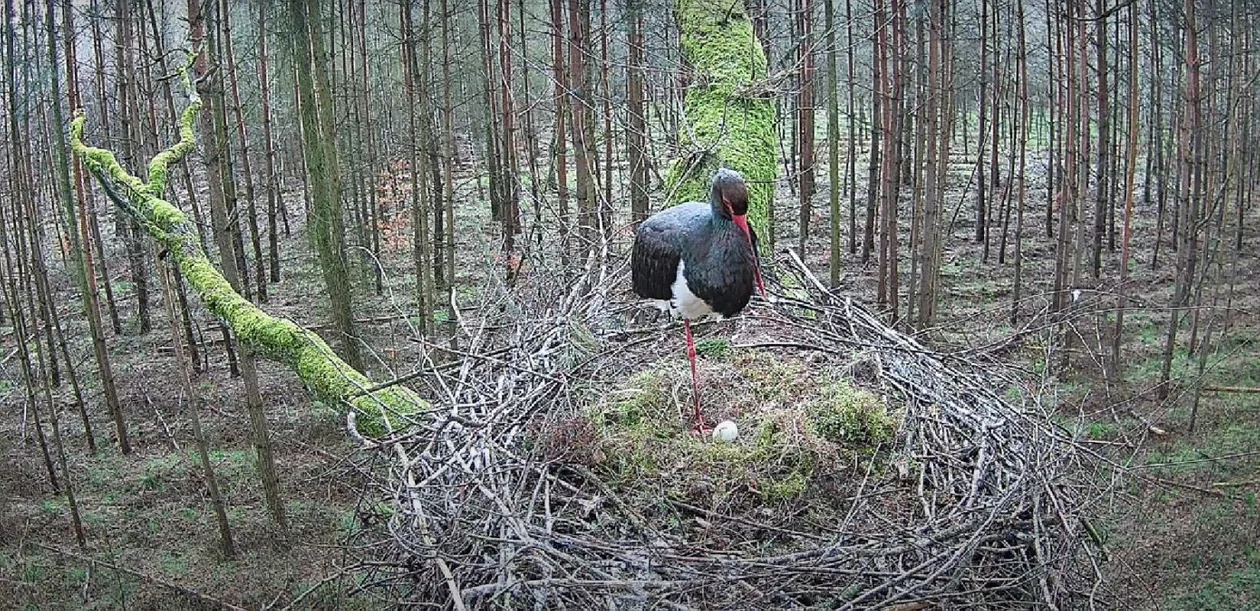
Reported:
(700, 259)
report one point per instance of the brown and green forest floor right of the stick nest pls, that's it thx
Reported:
(1180, 521)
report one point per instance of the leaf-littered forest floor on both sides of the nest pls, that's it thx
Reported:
(1181, 527)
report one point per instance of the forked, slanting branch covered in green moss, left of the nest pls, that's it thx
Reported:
(269, 337)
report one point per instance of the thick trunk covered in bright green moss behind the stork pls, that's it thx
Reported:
(729, 123)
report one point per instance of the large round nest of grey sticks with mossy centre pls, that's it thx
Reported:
(525, 493)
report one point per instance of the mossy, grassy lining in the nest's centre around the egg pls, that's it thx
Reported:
(802, 434)
